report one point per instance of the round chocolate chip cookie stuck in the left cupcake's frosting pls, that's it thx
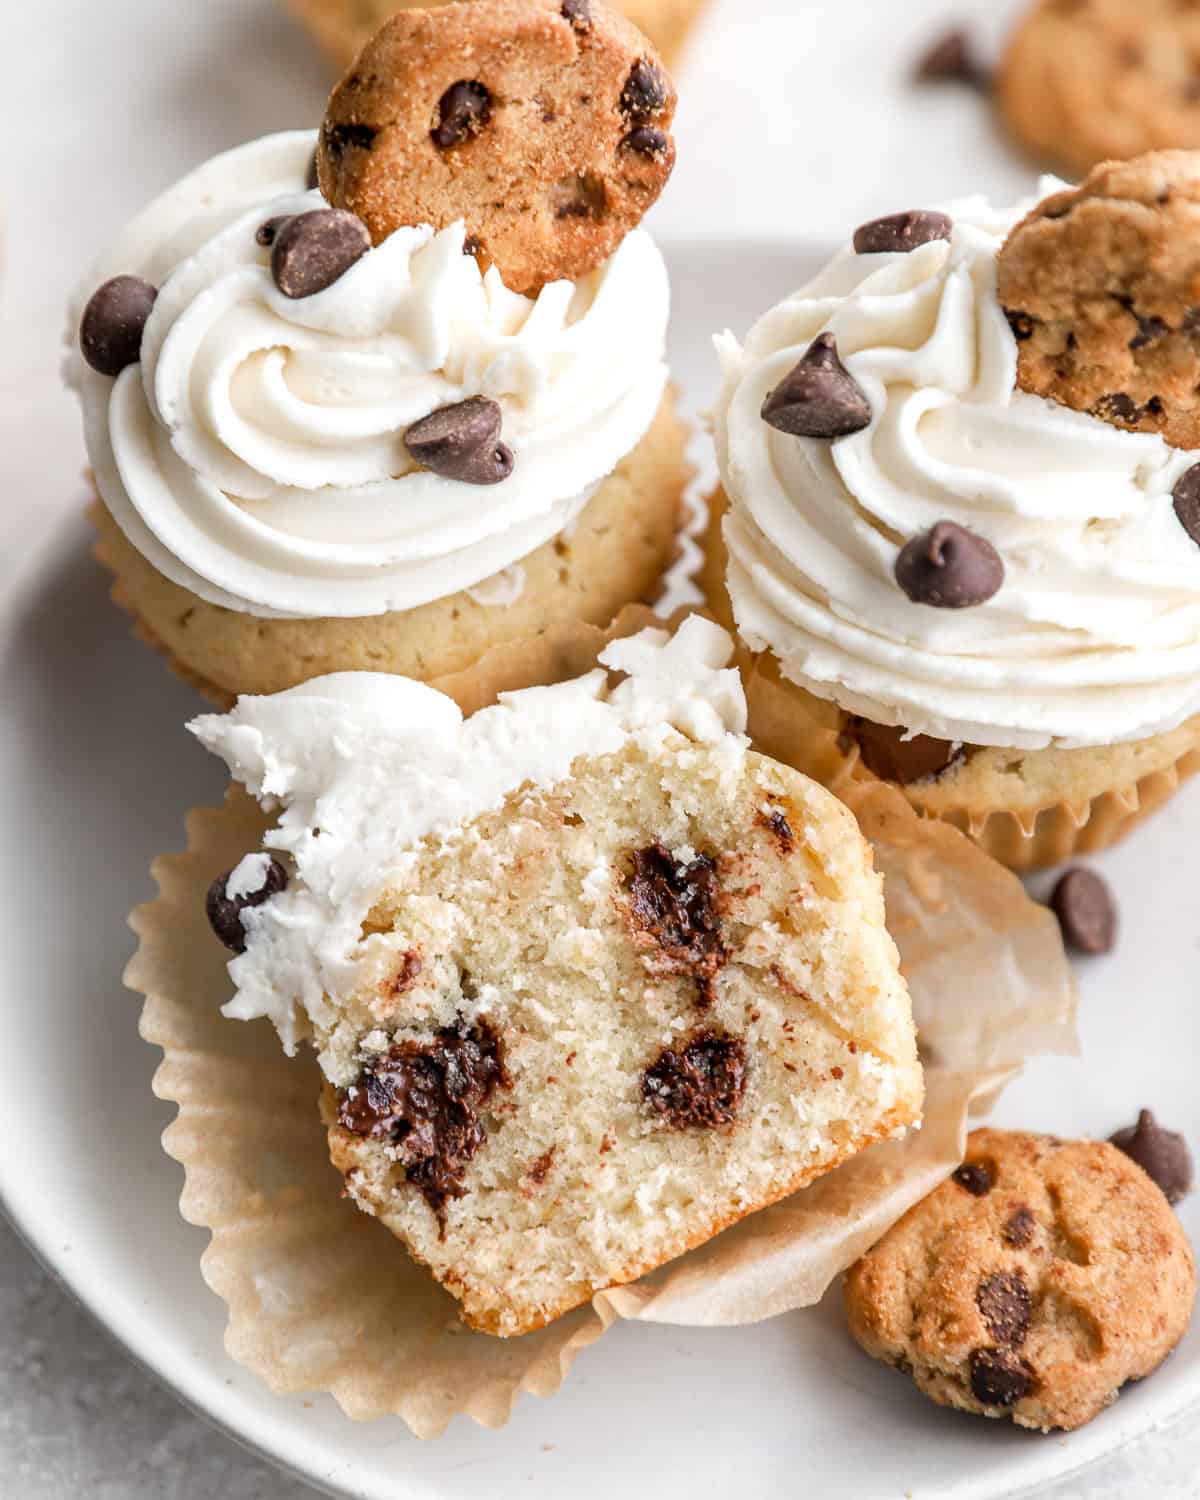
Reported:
(547, 128)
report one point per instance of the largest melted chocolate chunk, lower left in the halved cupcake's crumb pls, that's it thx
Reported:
(427, 1099)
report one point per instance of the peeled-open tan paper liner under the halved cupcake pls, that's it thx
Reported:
(322, 1300)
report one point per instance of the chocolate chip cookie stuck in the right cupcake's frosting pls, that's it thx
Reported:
(1102, 287)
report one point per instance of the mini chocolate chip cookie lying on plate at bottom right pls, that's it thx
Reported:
(1033, 1285)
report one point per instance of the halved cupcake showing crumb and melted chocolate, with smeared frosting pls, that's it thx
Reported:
(587, 979)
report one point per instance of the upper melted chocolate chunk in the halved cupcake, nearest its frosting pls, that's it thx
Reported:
(677, 905)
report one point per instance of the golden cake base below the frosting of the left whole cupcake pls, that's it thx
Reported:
(616, 554)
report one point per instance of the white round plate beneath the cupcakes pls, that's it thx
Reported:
(95, 775)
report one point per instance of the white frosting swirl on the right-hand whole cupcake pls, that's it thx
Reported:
(1096, 634)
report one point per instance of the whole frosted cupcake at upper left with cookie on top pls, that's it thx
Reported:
(397, 424)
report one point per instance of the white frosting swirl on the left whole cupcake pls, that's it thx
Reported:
(256, 455)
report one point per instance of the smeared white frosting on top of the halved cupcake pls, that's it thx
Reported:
(364, 770)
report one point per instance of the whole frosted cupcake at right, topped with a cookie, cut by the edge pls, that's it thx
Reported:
(956, 527)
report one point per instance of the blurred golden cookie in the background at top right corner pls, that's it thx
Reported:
(1088, 80)
